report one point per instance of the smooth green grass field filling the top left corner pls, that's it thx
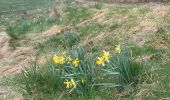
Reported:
(15, 6)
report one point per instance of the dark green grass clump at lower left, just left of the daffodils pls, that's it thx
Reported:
(41, 80)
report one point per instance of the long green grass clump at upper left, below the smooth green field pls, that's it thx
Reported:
(23, 26)
